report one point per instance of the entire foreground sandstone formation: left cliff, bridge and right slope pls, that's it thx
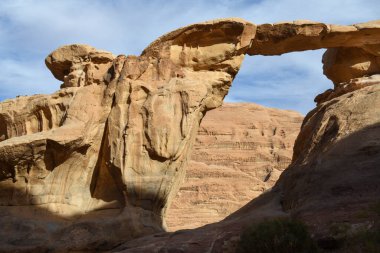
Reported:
(98, 162)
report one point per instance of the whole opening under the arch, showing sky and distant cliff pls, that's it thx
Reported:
(234, 162)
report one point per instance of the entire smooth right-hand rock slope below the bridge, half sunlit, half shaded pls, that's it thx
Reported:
(332, 181)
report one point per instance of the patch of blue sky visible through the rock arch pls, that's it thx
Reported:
(289, 81)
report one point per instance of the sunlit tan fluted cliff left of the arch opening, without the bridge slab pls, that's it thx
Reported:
(114, 141)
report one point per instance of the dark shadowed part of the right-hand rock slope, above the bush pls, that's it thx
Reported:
(323, 205)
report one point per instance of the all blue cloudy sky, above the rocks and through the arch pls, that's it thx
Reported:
(31, 29)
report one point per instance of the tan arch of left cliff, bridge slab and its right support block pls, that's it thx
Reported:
(124, 126)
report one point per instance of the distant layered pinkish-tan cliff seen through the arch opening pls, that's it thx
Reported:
(240, 151)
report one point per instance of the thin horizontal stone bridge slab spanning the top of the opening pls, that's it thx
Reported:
(301, 35)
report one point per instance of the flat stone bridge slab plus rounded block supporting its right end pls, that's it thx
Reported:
(354, 51)
